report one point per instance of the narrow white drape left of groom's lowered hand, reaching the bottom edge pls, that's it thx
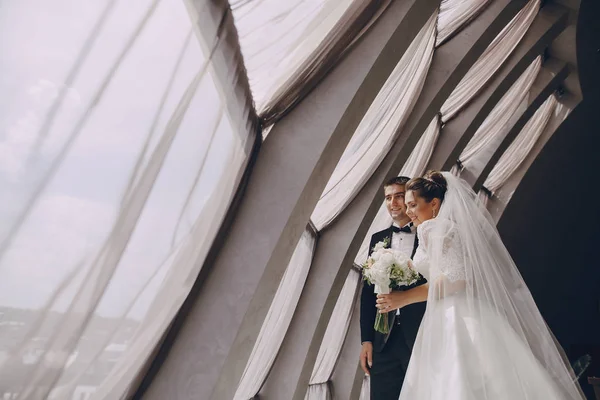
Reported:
(333, 340)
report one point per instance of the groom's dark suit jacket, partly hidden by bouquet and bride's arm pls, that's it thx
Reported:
(410, 316)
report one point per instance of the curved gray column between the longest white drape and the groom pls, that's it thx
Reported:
(339, 243)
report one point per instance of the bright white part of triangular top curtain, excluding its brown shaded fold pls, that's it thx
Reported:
(278, 37)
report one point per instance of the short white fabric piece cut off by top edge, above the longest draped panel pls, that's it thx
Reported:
(454, 14)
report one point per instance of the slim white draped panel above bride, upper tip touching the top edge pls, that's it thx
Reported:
(490, 61)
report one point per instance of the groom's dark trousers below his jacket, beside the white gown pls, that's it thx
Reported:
(389, 367)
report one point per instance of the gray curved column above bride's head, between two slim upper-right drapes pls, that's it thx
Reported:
(457, 133)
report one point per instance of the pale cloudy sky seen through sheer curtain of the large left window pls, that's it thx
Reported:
(76, 209)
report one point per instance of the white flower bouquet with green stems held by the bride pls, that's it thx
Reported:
(385, 269)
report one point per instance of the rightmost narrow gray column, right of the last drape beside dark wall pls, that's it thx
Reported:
(500, 199)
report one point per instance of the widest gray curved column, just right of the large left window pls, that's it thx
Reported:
(234, 291)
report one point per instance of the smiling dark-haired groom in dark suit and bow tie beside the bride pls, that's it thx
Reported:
(385, 357)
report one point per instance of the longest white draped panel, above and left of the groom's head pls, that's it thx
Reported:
(378, 129)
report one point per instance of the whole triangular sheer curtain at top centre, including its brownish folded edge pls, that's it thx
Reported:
(289, 44)
